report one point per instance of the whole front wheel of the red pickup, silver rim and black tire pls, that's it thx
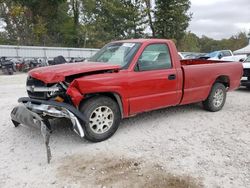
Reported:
(103, 115)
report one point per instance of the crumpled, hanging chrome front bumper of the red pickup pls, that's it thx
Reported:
(34, 112)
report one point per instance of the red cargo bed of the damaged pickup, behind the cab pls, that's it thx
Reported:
(199, 76)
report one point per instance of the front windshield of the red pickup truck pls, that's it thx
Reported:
(116, 54)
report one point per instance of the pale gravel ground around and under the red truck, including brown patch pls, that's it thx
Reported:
(176, 147)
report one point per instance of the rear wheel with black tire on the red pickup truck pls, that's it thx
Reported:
(209, 103)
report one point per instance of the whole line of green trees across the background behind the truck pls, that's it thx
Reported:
(92, 23)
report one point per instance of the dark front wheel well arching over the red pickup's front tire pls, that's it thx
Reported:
(114, 96)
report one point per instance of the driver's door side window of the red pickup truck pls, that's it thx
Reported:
(154, 57)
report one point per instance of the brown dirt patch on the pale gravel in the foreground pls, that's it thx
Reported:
(102, 171)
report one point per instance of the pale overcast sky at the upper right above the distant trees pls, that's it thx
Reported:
(220, 18)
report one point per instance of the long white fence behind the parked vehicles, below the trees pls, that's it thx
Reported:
(44, 52)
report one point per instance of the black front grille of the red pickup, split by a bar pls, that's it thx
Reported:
(36, 83)
